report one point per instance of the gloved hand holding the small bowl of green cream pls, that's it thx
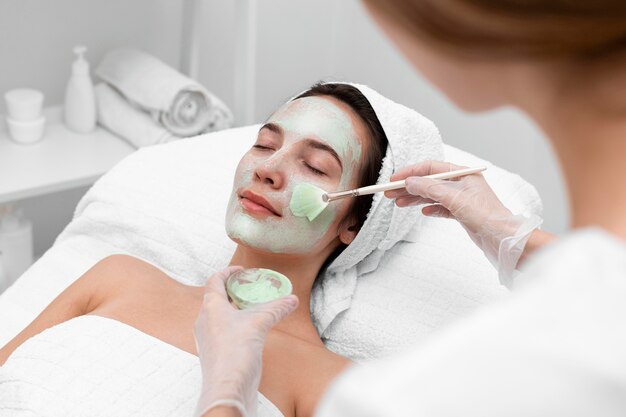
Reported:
(230, 346)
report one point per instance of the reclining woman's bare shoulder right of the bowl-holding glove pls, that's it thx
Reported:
(308, 367)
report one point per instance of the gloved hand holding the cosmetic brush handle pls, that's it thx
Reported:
(499, 233)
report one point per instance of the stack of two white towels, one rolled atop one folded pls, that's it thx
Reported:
(147, 102)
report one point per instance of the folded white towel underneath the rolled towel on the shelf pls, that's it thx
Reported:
(122, 118)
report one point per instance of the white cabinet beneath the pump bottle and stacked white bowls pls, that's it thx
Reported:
(47, 178)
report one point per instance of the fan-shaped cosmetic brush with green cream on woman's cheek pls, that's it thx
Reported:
(309, 201)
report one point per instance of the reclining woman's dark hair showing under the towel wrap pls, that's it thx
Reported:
(373, 155)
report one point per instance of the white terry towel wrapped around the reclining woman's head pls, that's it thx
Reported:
(412, 138)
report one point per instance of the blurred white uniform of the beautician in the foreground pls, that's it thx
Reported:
(557, 347)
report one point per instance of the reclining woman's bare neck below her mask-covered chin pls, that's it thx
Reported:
(301, 270)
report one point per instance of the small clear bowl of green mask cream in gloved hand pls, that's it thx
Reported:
(253, 286)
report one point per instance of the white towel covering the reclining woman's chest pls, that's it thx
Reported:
(95, 366)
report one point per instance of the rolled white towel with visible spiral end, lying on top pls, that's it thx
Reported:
(178, 103)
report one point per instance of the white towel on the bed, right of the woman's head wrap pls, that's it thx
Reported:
(434, 278)
